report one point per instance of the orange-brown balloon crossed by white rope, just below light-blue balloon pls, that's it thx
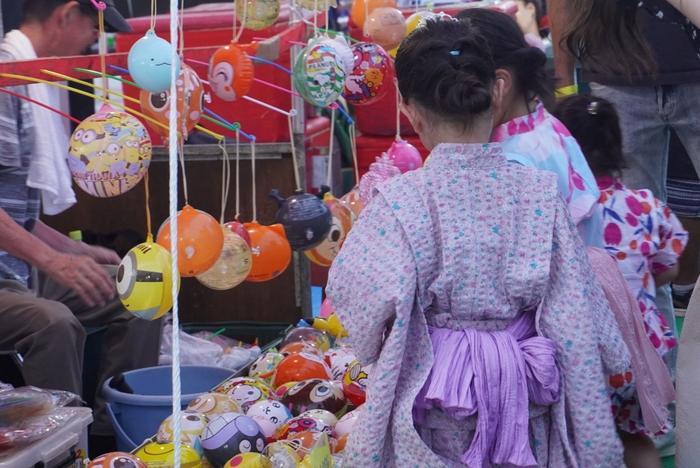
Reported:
(190, 103)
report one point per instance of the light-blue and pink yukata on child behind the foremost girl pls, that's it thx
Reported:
(540, 140)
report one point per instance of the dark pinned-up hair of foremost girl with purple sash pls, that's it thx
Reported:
(446, 68)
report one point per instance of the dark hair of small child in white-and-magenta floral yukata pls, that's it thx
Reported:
(594, 123)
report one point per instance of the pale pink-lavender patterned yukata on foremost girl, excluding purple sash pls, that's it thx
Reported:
(472, 242)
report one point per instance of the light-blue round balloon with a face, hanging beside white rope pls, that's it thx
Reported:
(150, 63)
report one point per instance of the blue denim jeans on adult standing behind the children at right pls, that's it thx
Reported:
(647, 114)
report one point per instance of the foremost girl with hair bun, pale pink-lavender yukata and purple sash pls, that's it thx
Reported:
(467, 286)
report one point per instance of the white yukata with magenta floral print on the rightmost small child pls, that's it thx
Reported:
(646, 238)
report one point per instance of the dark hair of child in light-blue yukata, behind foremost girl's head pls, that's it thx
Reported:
(527, 64)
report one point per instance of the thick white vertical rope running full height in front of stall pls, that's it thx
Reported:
(173, 160)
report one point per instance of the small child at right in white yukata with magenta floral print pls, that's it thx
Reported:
(645, 238)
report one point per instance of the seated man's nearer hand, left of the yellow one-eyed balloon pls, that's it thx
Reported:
(83, 275)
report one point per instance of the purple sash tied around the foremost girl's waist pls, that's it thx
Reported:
(493, 374)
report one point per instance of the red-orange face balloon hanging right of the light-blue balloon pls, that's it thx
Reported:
(230, 72)
